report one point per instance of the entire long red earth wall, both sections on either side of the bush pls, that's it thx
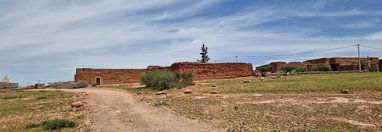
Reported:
(201, 71)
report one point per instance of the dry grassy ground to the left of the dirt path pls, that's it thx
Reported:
(28, 110)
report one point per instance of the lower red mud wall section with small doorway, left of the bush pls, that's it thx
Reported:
(109, 76)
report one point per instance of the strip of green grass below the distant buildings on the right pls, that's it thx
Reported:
(299, 83)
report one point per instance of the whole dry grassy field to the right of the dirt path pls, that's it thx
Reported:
(298, 103)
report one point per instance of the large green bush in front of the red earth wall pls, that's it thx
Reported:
(165, 79)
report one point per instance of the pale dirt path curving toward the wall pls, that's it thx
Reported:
(116, 110)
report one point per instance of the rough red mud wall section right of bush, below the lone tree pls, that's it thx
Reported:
(207, 71)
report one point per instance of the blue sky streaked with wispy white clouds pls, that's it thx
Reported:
(47, 40)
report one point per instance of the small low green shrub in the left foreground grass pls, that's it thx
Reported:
(57, 124)
